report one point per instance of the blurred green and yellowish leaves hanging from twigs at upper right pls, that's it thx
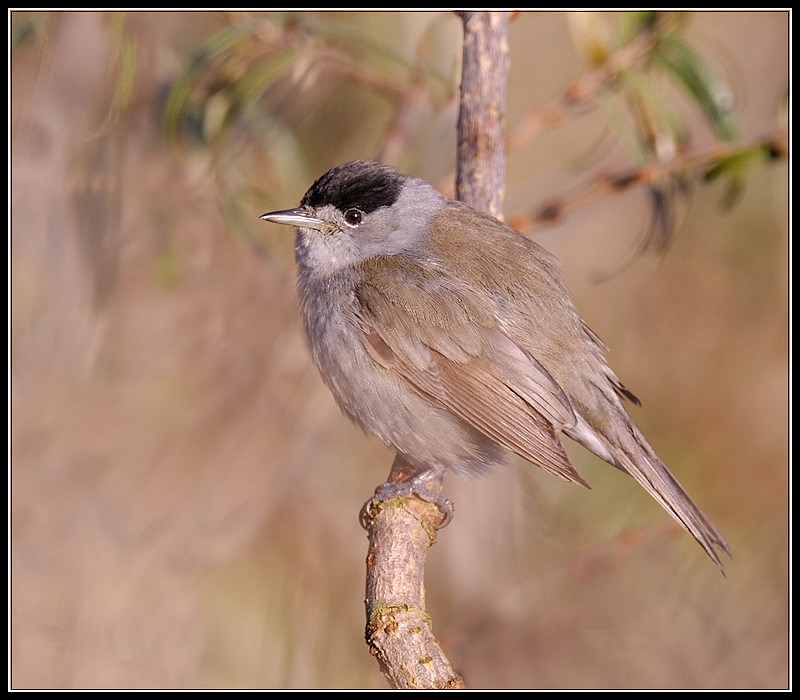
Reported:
(641, 105)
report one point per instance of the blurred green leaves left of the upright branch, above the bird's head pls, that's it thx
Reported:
(231, 79)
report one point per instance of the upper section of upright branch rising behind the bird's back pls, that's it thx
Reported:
(480, 176)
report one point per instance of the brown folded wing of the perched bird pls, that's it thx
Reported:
(451, 348)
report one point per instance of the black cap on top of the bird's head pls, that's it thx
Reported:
(361, 184)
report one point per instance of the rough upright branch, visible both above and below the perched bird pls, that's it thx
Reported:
(399, 630)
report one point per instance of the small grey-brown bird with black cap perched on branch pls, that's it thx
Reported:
(452, 337)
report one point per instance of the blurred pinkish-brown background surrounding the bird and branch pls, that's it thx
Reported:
(184, 492)
